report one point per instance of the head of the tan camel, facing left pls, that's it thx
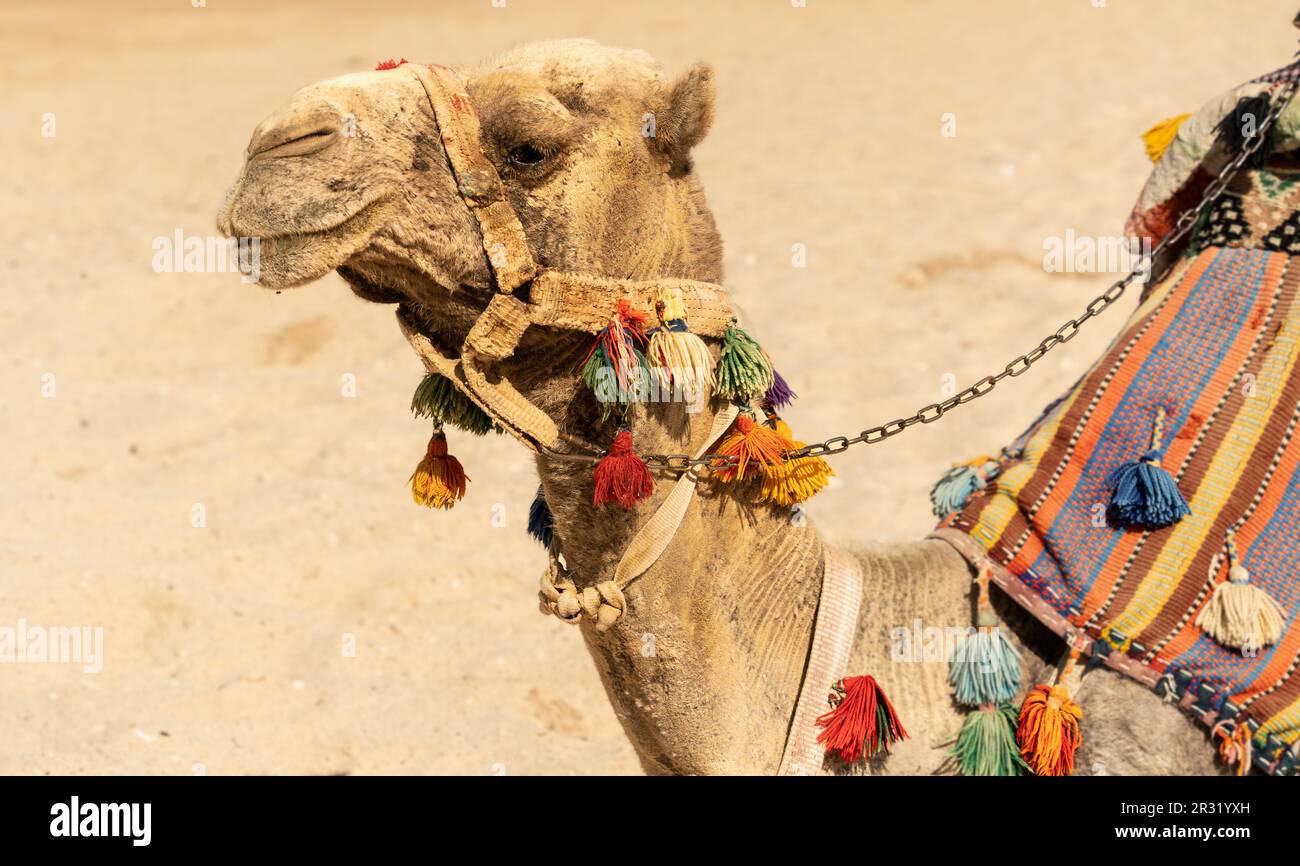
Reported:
(592, 144)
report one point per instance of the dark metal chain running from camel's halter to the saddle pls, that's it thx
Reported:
(1063, 335)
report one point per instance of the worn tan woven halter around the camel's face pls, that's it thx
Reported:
(558, 300)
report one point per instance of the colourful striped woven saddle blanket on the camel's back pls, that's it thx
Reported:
(1210, 363)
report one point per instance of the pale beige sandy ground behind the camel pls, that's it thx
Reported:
(224, 644)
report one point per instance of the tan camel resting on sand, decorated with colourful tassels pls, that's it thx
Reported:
(733, 600)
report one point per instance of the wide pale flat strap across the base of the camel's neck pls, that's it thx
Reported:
(835, 629)
